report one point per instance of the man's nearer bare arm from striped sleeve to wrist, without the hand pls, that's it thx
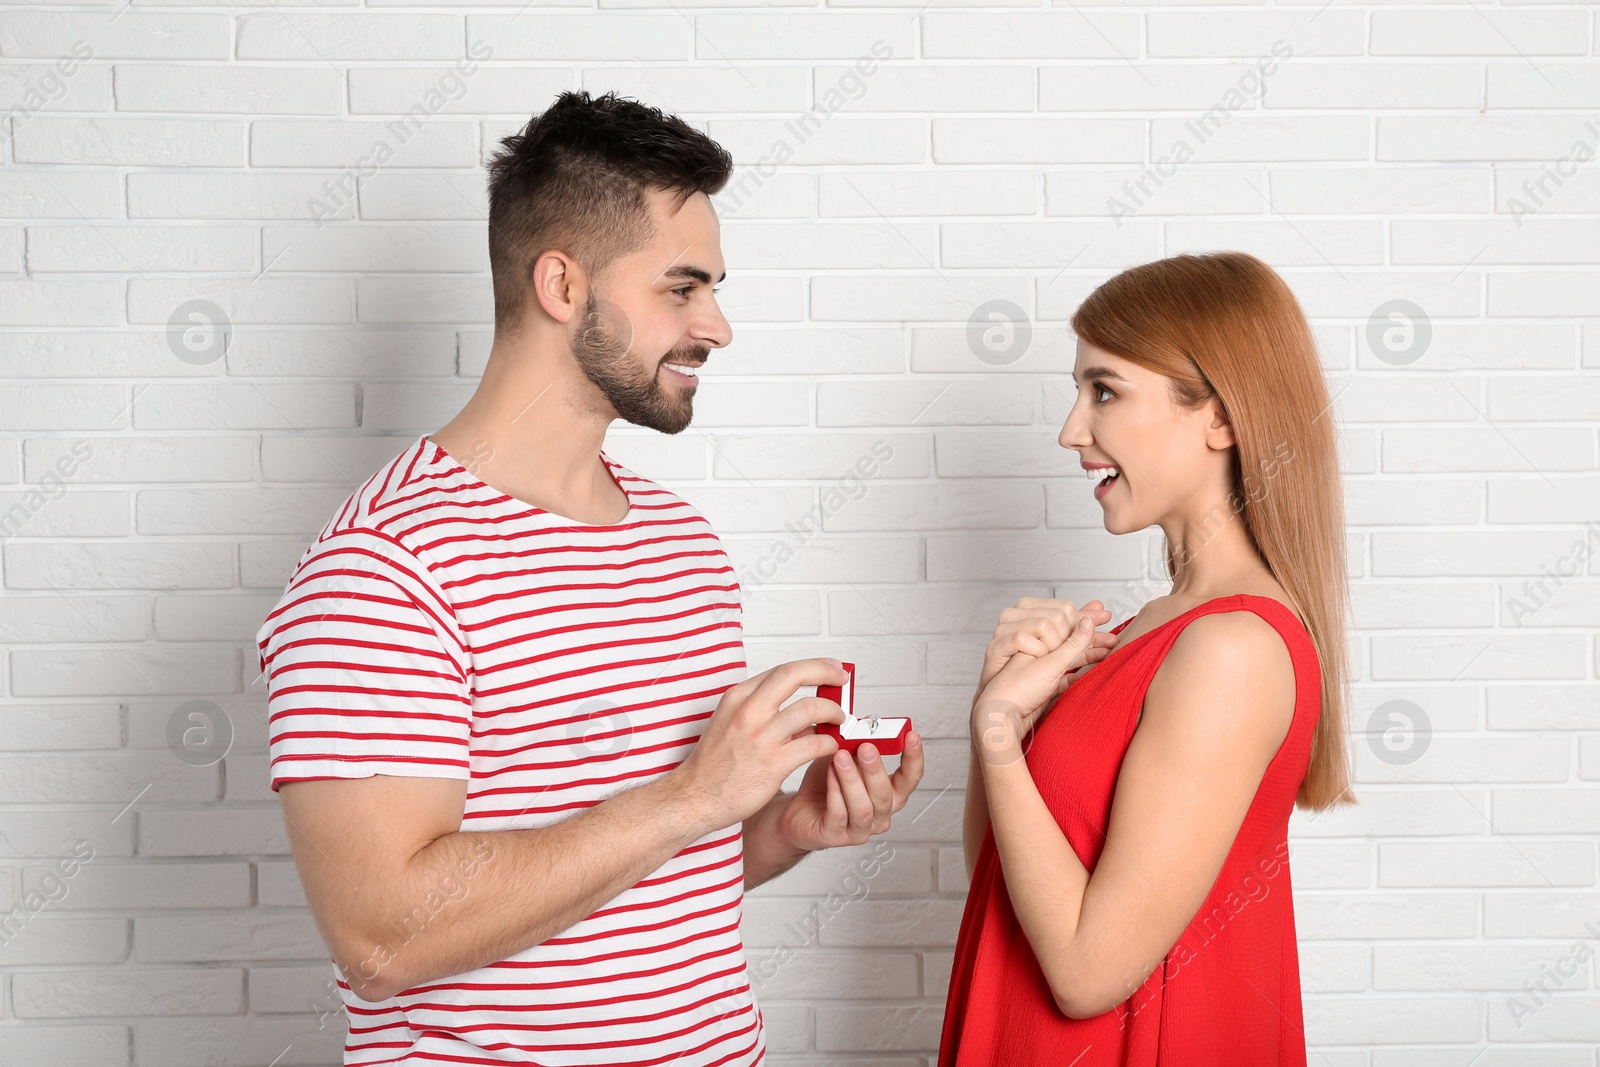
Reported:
(404, 897)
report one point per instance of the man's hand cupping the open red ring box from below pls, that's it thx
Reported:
(846, 801)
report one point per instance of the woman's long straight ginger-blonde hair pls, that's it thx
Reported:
(1226, 326)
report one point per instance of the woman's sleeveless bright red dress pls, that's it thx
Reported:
(1228, 994)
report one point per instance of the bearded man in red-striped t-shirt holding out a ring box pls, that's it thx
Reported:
(526, 778)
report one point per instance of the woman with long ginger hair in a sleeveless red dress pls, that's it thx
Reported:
(1130, 793)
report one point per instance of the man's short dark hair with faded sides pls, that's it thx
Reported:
(575, 180)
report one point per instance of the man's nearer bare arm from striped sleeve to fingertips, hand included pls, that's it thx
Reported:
(378, 852)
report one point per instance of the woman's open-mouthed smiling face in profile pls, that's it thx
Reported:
(1167, 458)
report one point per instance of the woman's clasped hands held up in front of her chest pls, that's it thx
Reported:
(1036, 645)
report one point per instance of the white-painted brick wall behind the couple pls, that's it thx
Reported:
(1442, 154)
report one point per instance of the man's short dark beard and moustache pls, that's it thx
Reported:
(604, 350)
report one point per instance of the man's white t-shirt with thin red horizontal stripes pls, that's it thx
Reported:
(439, 628)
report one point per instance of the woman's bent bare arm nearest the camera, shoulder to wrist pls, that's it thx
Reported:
(1214, 717)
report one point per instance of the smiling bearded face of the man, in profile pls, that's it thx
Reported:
(652, 310)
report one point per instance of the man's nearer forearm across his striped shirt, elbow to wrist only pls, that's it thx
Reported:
(473, 898)
